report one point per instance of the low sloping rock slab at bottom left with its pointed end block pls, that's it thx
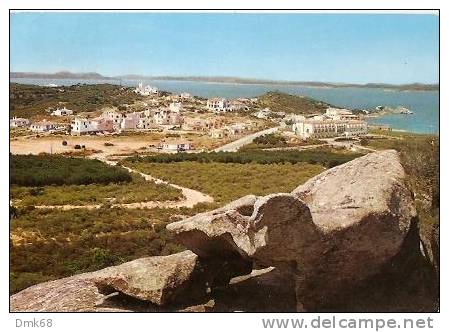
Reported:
(159, 280)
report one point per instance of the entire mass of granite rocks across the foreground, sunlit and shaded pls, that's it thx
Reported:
(333, 237)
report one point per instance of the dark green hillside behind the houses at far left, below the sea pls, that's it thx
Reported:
(30, 100)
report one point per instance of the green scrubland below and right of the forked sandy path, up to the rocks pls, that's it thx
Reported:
(50, 244)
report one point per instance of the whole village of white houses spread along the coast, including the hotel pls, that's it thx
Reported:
(185, 123)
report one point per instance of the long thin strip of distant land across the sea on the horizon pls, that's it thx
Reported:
(225, 79)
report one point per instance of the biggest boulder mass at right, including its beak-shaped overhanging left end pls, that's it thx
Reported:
(333, 232)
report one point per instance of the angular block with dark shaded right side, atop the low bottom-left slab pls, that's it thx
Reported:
(167, 279)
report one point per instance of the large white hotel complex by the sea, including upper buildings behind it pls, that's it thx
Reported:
(334, 123)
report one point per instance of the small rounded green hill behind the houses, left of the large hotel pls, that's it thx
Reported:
(283, 102)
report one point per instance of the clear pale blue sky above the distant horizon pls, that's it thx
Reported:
(355, 48)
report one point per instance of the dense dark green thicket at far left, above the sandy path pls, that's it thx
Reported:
(33, 171)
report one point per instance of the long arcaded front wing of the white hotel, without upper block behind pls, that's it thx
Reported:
(313, 128)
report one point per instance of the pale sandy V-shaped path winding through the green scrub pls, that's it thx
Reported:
(191, 196)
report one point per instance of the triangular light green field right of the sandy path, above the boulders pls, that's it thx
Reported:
(228, 181)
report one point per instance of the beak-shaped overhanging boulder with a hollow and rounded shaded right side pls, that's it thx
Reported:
(269, 230)
